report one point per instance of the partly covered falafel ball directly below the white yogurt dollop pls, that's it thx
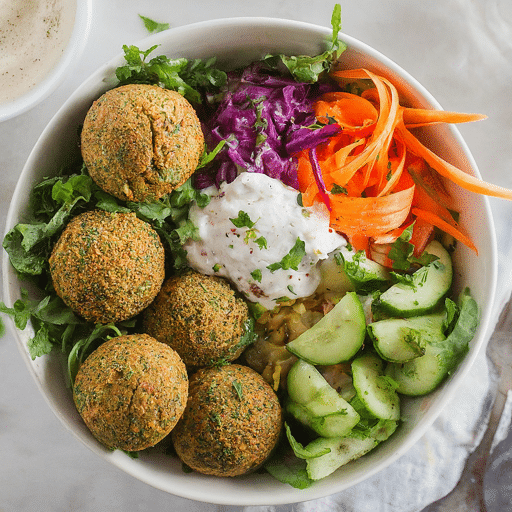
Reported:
(199, 316)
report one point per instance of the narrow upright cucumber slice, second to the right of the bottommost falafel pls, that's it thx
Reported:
(373, 389)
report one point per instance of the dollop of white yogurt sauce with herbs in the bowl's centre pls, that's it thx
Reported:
(243, 254)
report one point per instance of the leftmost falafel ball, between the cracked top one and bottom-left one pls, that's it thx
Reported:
(107, 267)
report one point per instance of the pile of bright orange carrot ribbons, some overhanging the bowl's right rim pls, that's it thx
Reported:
(375, 176)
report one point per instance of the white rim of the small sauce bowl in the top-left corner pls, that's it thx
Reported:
(54, 76)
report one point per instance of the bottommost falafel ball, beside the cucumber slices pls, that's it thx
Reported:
(231, 424)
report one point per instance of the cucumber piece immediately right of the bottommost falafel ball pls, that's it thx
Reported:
(316, 404)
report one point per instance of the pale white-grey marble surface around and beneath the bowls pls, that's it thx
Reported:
(460, 50)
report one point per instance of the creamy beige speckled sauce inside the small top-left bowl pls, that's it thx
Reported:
(33, 37)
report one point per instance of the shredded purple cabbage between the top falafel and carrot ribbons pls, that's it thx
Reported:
(265, 119)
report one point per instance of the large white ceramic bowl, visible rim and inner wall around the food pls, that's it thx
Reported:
(237, 41)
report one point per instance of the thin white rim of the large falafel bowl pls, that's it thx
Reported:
(286, 495)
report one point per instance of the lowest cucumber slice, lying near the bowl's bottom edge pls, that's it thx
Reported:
(342, 451)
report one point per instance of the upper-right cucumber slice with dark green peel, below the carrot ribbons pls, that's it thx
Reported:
(429, 286)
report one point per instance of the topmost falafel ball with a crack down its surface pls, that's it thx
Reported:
(140, 142)
